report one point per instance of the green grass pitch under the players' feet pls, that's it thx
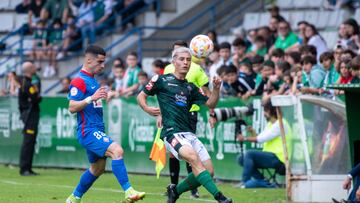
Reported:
(54, 185)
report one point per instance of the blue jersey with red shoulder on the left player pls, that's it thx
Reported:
(91, 117)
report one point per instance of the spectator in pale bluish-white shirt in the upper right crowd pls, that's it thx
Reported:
(312, 37)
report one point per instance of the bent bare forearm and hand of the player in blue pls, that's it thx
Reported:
(76, 106)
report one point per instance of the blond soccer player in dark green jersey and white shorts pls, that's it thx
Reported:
(176, 96)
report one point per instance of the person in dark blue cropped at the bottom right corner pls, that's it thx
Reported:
(354, 175)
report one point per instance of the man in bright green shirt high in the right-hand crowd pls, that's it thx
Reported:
(286, 39)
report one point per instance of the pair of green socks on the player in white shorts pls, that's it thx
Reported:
(192, 182)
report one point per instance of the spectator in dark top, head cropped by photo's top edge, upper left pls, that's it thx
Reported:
(55, 9)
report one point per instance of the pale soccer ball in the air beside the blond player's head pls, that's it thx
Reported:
(201, 46)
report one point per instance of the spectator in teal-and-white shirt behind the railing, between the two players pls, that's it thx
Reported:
(130, 78)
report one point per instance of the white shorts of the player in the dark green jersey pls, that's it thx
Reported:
(186, 138)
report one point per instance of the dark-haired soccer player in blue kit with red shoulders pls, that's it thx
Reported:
(86, 100)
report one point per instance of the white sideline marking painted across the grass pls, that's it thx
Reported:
(11, 182)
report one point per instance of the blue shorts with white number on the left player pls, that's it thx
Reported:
(96, 143)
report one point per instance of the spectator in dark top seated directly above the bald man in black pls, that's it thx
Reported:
(39, 42)
